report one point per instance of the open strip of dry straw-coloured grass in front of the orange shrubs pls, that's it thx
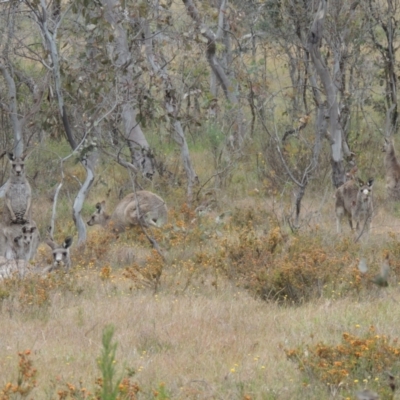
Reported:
(204, 344)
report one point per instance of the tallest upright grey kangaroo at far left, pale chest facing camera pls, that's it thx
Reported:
(18, 193)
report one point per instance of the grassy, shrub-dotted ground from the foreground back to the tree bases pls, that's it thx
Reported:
(195, 326)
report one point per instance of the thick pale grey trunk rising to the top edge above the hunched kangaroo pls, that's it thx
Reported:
(138, 145)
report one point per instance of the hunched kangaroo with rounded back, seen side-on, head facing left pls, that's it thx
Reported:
(135, 208)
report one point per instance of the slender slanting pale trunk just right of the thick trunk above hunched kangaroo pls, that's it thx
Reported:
(170, 104)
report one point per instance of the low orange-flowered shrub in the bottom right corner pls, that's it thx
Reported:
(366, 360)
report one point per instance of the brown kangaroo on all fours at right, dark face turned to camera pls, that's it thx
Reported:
(354, 200)
